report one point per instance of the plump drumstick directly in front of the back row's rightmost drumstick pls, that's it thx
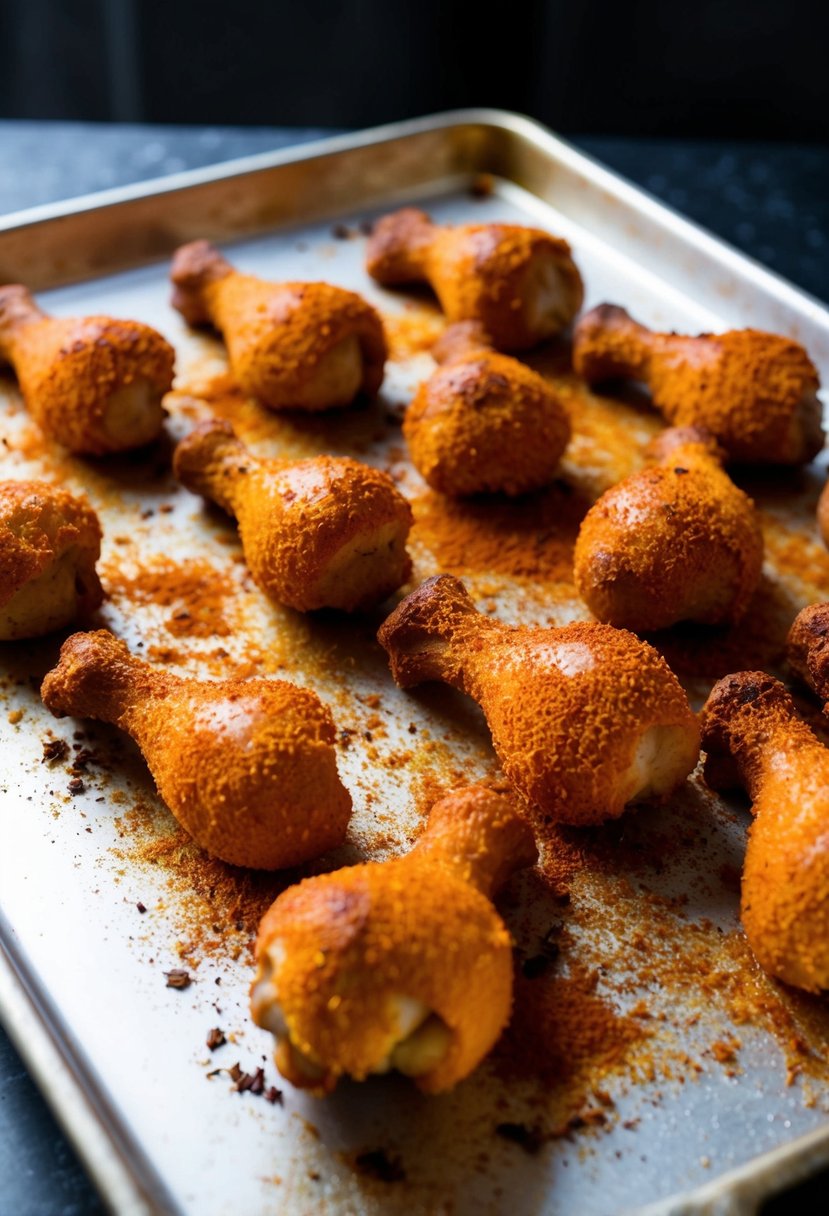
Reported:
(678, 542)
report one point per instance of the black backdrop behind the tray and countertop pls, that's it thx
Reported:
(717, 69)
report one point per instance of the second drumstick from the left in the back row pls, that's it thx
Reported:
(292, 346)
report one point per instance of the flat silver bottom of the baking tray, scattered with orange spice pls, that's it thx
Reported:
(692, 1093)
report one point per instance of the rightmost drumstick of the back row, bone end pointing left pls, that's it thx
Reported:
(755, 392)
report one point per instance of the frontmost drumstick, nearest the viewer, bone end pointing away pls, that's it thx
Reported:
(398, 965)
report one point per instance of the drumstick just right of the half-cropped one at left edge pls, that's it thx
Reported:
(319, 533)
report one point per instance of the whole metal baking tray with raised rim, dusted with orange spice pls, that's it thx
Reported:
(122, 1057)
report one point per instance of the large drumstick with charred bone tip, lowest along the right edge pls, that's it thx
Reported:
(754, 739)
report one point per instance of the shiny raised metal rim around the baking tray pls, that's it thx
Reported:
(126, 1180)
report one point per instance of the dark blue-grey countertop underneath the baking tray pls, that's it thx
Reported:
(768, 200)
